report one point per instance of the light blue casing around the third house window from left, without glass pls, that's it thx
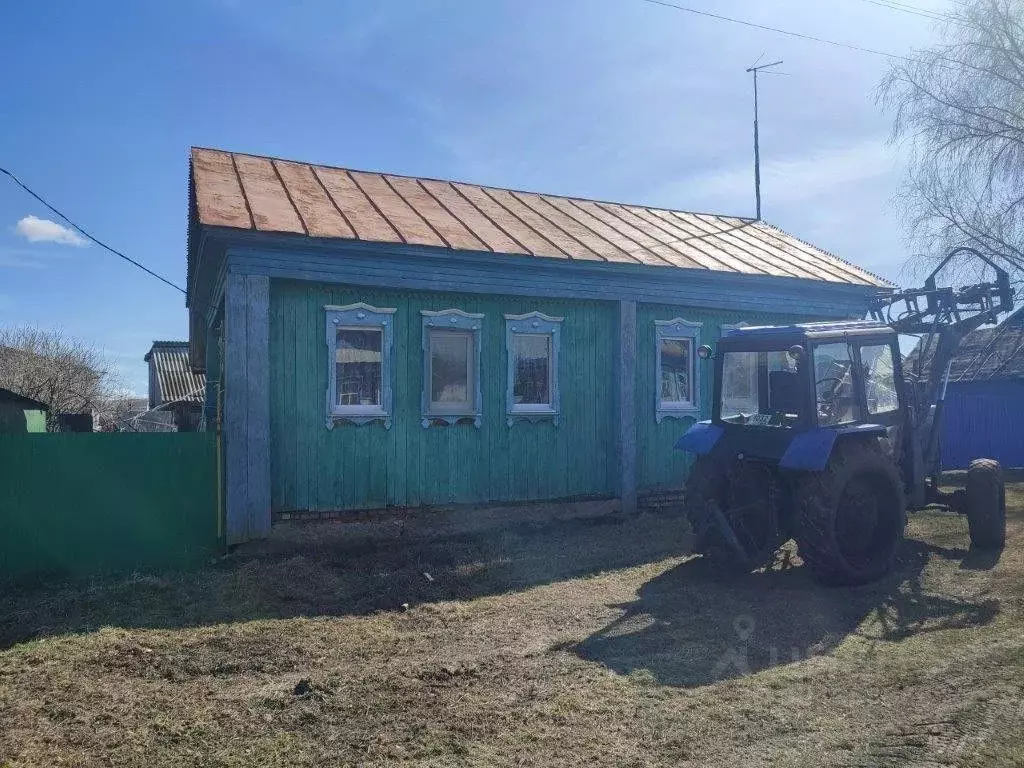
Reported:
(533, 325)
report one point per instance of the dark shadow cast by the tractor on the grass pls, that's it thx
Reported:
(693, 626)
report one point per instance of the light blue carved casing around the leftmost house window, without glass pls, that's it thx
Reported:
(360, 316)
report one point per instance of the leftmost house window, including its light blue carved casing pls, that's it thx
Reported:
(359, 339)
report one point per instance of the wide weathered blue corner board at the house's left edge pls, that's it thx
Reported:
(247, 409)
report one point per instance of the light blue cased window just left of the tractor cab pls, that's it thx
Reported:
(677, 391)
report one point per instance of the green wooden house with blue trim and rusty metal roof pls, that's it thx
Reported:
(385, 340)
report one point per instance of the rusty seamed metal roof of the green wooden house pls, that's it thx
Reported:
(268, 195)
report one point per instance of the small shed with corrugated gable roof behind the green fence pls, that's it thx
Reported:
(175, 387)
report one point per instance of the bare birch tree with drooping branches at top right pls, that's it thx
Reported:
(960, 109)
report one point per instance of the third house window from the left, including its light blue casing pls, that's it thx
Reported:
(532, 342)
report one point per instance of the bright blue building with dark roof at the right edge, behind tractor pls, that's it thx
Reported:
(985, 407)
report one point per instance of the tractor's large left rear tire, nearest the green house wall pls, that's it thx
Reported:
(747, 495)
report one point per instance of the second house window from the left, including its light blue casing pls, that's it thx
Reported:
(451, 367)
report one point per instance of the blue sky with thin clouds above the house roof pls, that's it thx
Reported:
(617, 100)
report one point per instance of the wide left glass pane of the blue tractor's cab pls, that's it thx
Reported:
(761, 389)
